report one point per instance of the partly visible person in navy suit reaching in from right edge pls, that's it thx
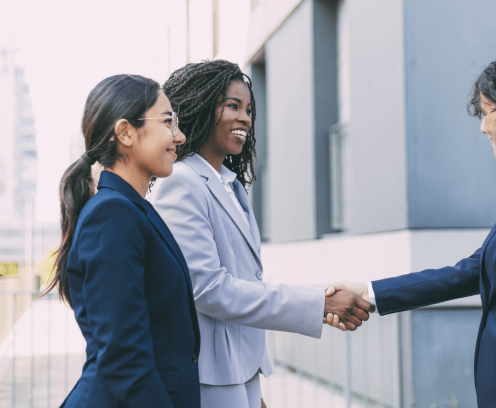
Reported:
(470, 276)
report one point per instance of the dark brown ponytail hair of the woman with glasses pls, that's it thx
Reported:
(117, 97)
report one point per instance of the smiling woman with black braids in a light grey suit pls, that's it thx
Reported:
(205, 204)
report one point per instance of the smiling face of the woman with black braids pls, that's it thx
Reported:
(233, 126)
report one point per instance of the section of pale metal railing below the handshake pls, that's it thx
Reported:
(340, 370)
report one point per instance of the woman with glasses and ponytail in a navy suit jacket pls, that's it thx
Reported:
(118, 266)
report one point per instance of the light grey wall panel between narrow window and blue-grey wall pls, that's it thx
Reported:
(376, 186)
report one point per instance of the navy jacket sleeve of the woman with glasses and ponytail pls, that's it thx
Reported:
(111, 253)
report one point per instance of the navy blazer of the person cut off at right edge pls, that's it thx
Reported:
(472, 275)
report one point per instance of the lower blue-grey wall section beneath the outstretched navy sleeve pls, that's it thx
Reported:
(443, 343)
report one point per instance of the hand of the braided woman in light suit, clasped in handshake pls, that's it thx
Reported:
(349, 308)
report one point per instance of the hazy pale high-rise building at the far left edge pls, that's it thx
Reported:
(23, 241)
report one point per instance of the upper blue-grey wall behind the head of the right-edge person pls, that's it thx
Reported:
(451, 168)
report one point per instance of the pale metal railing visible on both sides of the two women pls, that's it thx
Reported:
(42, 354)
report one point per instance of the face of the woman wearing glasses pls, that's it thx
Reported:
(155, 148)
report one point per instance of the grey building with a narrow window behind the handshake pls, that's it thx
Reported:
(368, 167)
